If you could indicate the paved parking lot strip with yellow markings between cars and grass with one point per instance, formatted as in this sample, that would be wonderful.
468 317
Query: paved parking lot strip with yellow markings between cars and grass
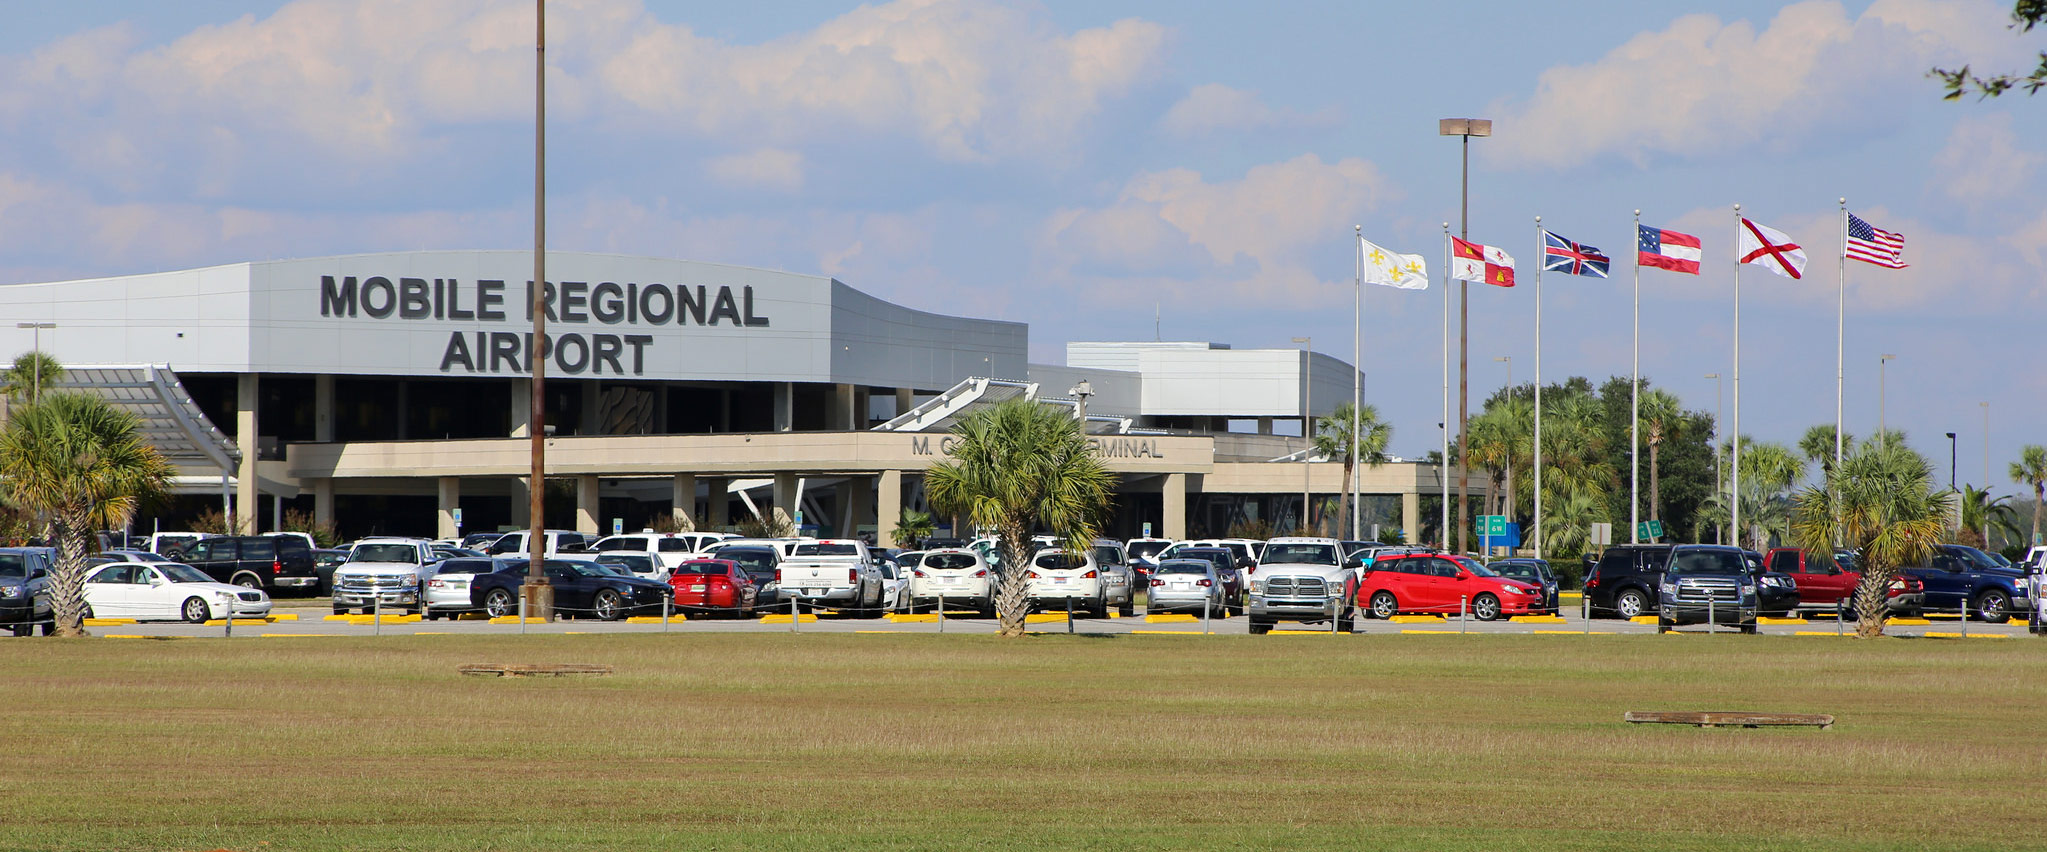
312 617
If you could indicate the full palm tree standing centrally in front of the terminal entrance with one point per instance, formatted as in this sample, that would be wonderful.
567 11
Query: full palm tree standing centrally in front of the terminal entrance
1014 468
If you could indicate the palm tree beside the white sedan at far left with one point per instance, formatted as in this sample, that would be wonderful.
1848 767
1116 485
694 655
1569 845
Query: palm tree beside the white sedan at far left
83 464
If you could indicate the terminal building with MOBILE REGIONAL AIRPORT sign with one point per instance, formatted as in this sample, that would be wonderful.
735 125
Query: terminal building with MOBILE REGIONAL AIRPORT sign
392 394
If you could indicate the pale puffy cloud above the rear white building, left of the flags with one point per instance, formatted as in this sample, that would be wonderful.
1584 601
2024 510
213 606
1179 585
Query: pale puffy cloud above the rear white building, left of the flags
1254 232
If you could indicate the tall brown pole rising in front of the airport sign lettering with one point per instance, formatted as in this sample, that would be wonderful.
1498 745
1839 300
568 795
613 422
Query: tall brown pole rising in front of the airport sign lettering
537 591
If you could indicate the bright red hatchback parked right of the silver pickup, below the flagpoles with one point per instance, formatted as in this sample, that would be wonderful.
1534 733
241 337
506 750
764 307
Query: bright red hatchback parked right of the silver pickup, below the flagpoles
1442 585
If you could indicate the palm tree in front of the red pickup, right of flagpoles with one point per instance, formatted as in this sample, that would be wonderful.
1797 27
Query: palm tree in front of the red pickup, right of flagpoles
1882 503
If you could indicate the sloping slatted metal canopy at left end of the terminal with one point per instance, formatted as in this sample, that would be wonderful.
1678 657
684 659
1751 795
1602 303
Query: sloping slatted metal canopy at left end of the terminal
169 417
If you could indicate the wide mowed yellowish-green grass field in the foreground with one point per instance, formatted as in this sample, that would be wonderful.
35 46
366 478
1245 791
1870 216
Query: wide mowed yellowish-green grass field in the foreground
920 742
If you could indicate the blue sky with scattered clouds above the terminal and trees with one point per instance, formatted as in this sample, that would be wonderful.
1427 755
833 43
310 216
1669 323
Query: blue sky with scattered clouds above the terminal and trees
1082 165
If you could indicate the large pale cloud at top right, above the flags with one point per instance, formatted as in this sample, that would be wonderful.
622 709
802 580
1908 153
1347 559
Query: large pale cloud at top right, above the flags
1704 87
